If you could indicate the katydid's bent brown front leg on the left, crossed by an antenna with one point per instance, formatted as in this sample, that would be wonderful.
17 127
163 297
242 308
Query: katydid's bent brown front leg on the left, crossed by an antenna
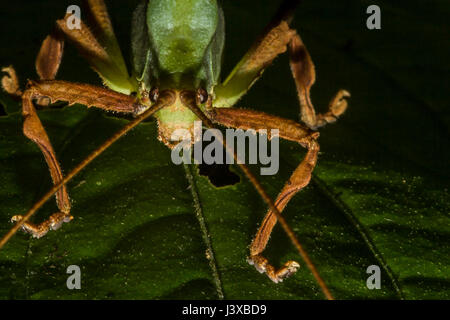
73 93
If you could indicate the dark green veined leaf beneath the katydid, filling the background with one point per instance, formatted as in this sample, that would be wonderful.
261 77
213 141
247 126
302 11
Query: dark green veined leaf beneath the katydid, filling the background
379 195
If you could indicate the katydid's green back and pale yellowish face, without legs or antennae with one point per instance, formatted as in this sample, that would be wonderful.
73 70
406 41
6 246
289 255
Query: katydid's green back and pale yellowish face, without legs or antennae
177 44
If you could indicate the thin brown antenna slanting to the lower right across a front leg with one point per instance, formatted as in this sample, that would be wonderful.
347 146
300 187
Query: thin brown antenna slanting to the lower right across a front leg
191 104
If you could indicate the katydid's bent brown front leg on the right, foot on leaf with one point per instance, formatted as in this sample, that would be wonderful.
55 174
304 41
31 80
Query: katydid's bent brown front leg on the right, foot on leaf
290 130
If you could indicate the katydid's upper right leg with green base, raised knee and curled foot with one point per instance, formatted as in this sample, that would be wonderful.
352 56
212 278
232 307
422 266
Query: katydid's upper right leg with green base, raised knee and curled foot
277 38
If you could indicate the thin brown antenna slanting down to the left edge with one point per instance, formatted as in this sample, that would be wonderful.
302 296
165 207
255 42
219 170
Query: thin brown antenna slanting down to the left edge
163 101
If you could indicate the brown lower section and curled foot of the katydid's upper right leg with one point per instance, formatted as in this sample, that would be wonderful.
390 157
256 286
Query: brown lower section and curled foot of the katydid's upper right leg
304 75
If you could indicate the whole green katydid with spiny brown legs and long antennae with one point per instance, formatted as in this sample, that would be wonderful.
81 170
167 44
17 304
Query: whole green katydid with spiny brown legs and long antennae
177 50
